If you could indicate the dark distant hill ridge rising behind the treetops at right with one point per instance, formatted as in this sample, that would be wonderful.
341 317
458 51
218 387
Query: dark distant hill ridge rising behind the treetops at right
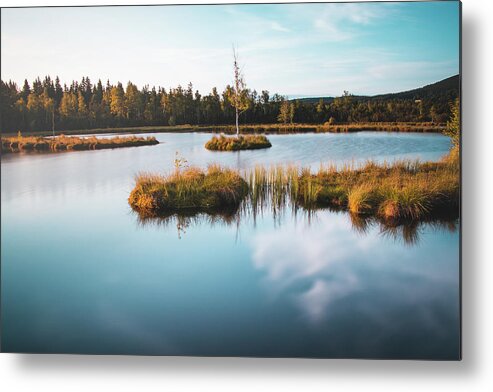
446 87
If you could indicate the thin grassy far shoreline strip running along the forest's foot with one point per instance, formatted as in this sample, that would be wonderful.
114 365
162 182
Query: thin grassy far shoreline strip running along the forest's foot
260 128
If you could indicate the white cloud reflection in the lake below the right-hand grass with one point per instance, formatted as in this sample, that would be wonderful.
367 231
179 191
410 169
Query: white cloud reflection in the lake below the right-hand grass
323 264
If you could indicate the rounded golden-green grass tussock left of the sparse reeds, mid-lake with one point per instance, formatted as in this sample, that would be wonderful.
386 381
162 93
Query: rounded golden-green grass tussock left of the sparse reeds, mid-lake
188 189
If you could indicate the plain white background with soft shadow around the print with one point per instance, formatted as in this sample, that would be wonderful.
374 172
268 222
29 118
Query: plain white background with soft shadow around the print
473 373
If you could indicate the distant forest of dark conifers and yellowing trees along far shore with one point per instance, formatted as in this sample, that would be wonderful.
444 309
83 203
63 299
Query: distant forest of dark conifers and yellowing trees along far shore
84 105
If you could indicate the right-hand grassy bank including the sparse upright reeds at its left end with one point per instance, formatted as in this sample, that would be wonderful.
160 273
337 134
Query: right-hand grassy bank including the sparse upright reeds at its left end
402 191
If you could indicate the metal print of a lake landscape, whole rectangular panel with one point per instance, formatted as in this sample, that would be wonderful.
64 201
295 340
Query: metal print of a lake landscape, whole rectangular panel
265 180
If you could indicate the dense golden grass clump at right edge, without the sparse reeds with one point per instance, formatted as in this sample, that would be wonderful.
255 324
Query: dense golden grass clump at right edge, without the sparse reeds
401 191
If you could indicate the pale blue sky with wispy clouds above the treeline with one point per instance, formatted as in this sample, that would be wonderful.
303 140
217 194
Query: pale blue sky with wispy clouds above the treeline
291 49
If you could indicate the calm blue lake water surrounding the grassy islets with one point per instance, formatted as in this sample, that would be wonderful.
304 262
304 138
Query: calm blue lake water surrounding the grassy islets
81 274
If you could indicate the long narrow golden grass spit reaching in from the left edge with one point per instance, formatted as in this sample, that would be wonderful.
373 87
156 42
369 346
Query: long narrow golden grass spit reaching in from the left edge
67 143
